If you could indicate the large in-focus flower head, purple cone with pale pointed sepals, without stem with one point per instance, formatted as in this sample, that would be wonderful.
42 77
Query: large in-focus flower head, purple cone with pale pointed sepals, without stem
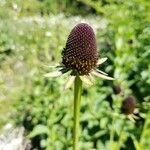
80 57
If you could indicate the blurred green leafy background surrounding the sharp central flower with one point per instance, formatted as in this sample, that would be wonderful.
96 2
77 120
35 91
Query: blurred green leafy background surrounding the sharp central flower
33 34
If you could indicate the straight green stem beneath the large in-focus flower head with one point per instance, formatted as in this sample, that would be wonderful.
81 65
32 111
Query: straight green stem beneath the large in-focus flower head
77 99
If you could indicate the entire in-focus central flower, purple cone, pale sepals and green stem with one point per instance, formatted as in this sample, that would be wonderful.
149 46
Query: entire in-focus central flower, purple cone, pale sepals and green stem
80 60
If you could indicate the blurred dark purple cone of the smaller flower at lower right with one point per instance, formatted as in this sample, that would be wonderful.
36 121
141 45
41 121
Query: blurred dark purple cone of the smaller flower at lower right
128 105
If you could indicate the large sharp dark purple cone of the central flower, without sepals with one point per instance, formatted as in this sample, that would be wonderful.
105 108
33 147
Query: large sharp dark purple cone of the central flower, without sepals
80 53
